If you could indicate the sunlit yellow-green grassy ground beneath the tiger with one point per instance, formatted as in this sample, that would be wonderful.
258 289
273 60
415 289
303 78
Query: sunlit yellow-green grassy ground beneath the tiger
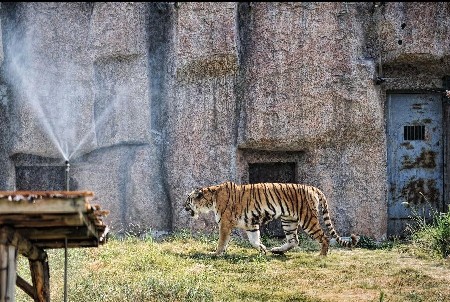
181 268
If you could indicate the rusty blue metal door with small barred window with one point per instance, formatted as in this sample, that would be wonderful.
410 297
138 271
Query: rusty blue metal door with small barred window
415 158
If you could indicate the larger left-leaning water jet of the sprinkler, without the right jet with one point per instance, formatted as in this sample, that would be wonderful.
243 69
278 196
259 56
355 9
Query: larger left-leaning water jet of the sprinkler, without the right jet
46 98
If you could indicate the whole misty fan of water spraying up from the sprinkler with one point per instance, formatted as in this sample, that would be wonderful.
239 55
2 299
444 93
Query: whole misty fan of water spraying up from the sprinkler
54 93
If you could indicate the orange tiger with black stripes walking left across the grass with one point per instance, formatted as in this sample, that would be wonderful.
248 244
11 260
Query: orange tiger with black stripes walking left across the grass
249 206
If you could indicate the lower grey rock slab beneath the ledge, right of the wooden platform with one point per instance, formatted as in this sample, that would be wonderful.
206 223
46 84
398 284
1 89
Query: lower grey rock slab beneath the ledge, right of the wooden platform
126 181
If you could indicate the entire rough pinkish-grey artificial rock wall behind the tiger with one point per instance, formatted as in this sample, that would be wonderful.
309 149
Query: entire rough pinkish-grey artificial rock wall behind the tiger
150 100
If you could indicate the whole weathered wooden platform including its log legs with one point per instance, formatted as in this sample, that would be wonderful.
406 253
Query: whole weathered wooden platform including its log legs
32 221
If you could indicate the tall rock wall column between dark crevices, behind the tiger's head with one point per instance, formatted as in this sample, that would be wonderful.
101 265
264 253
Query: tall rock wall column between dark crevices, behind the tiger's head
202 114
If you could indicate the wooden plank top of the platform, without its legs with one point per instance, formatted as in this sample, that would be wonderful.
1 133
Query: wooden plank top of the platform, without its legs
47 218
